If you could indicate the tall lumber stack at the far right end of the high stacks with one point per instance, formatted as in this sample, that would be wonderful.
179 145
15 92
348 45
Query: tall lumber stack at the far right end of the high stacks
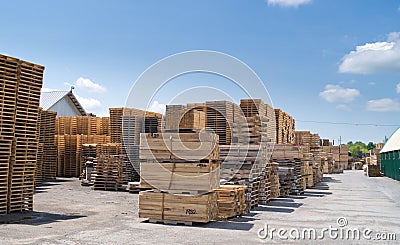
285 125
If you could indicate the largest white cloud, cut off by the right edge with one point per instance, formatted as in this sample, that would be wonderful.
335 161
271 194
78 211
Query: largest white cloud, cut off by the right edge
374 57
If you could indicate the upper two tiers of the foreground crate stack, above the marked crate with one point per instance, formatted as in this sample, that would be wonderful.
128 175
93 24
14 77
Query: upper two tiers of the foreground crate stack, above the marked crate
180 162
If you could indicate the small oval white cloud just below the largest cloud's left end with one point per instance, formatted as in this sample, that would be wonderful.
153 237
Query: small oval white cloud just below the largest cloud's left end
336 93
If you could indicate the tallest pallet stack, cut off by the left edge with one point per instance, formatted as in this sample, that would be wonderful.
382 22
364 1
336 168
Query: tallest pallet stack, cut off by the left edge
20 84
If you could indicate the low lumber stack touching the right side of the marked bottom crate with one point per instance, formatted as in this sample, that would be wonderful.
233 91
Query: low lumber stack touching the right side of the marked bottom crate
231 201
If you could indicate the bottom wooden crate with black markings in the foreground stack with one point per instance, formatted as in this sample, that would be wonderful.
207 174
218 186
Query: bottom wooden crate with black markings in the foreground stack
177 208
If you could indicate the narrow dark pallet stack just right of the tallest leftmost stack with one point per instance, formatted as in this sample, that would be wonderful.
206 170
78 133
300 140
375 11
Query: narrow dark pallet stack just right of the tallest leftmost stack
46 167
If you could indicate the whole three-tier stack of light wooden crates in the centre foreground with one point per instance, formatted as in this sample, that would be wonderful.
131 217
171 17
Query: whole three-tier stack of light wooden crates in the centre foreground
184 180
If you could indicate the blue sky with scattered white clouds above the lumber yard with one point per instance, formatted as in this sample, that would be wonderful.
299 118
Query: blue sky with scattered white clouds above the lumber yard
321 60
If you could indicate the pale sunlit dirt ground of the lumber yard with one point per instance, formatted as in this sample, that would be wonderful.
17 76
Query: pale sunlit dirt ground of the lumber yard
67 213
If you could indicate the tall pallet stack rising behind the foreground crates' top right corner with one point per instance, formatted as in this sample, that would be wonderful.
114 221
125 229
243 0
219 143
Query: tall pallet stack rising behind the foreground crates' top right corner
219 118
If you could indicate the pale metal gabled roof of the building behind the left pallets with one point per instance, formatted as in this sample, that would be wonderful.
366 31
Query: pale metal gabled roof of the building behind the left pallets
48 99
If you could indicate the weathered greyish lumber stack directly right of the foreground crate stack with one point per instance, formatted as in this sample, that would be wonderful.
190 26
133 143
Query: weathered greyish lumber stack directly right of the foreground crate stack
242 165
